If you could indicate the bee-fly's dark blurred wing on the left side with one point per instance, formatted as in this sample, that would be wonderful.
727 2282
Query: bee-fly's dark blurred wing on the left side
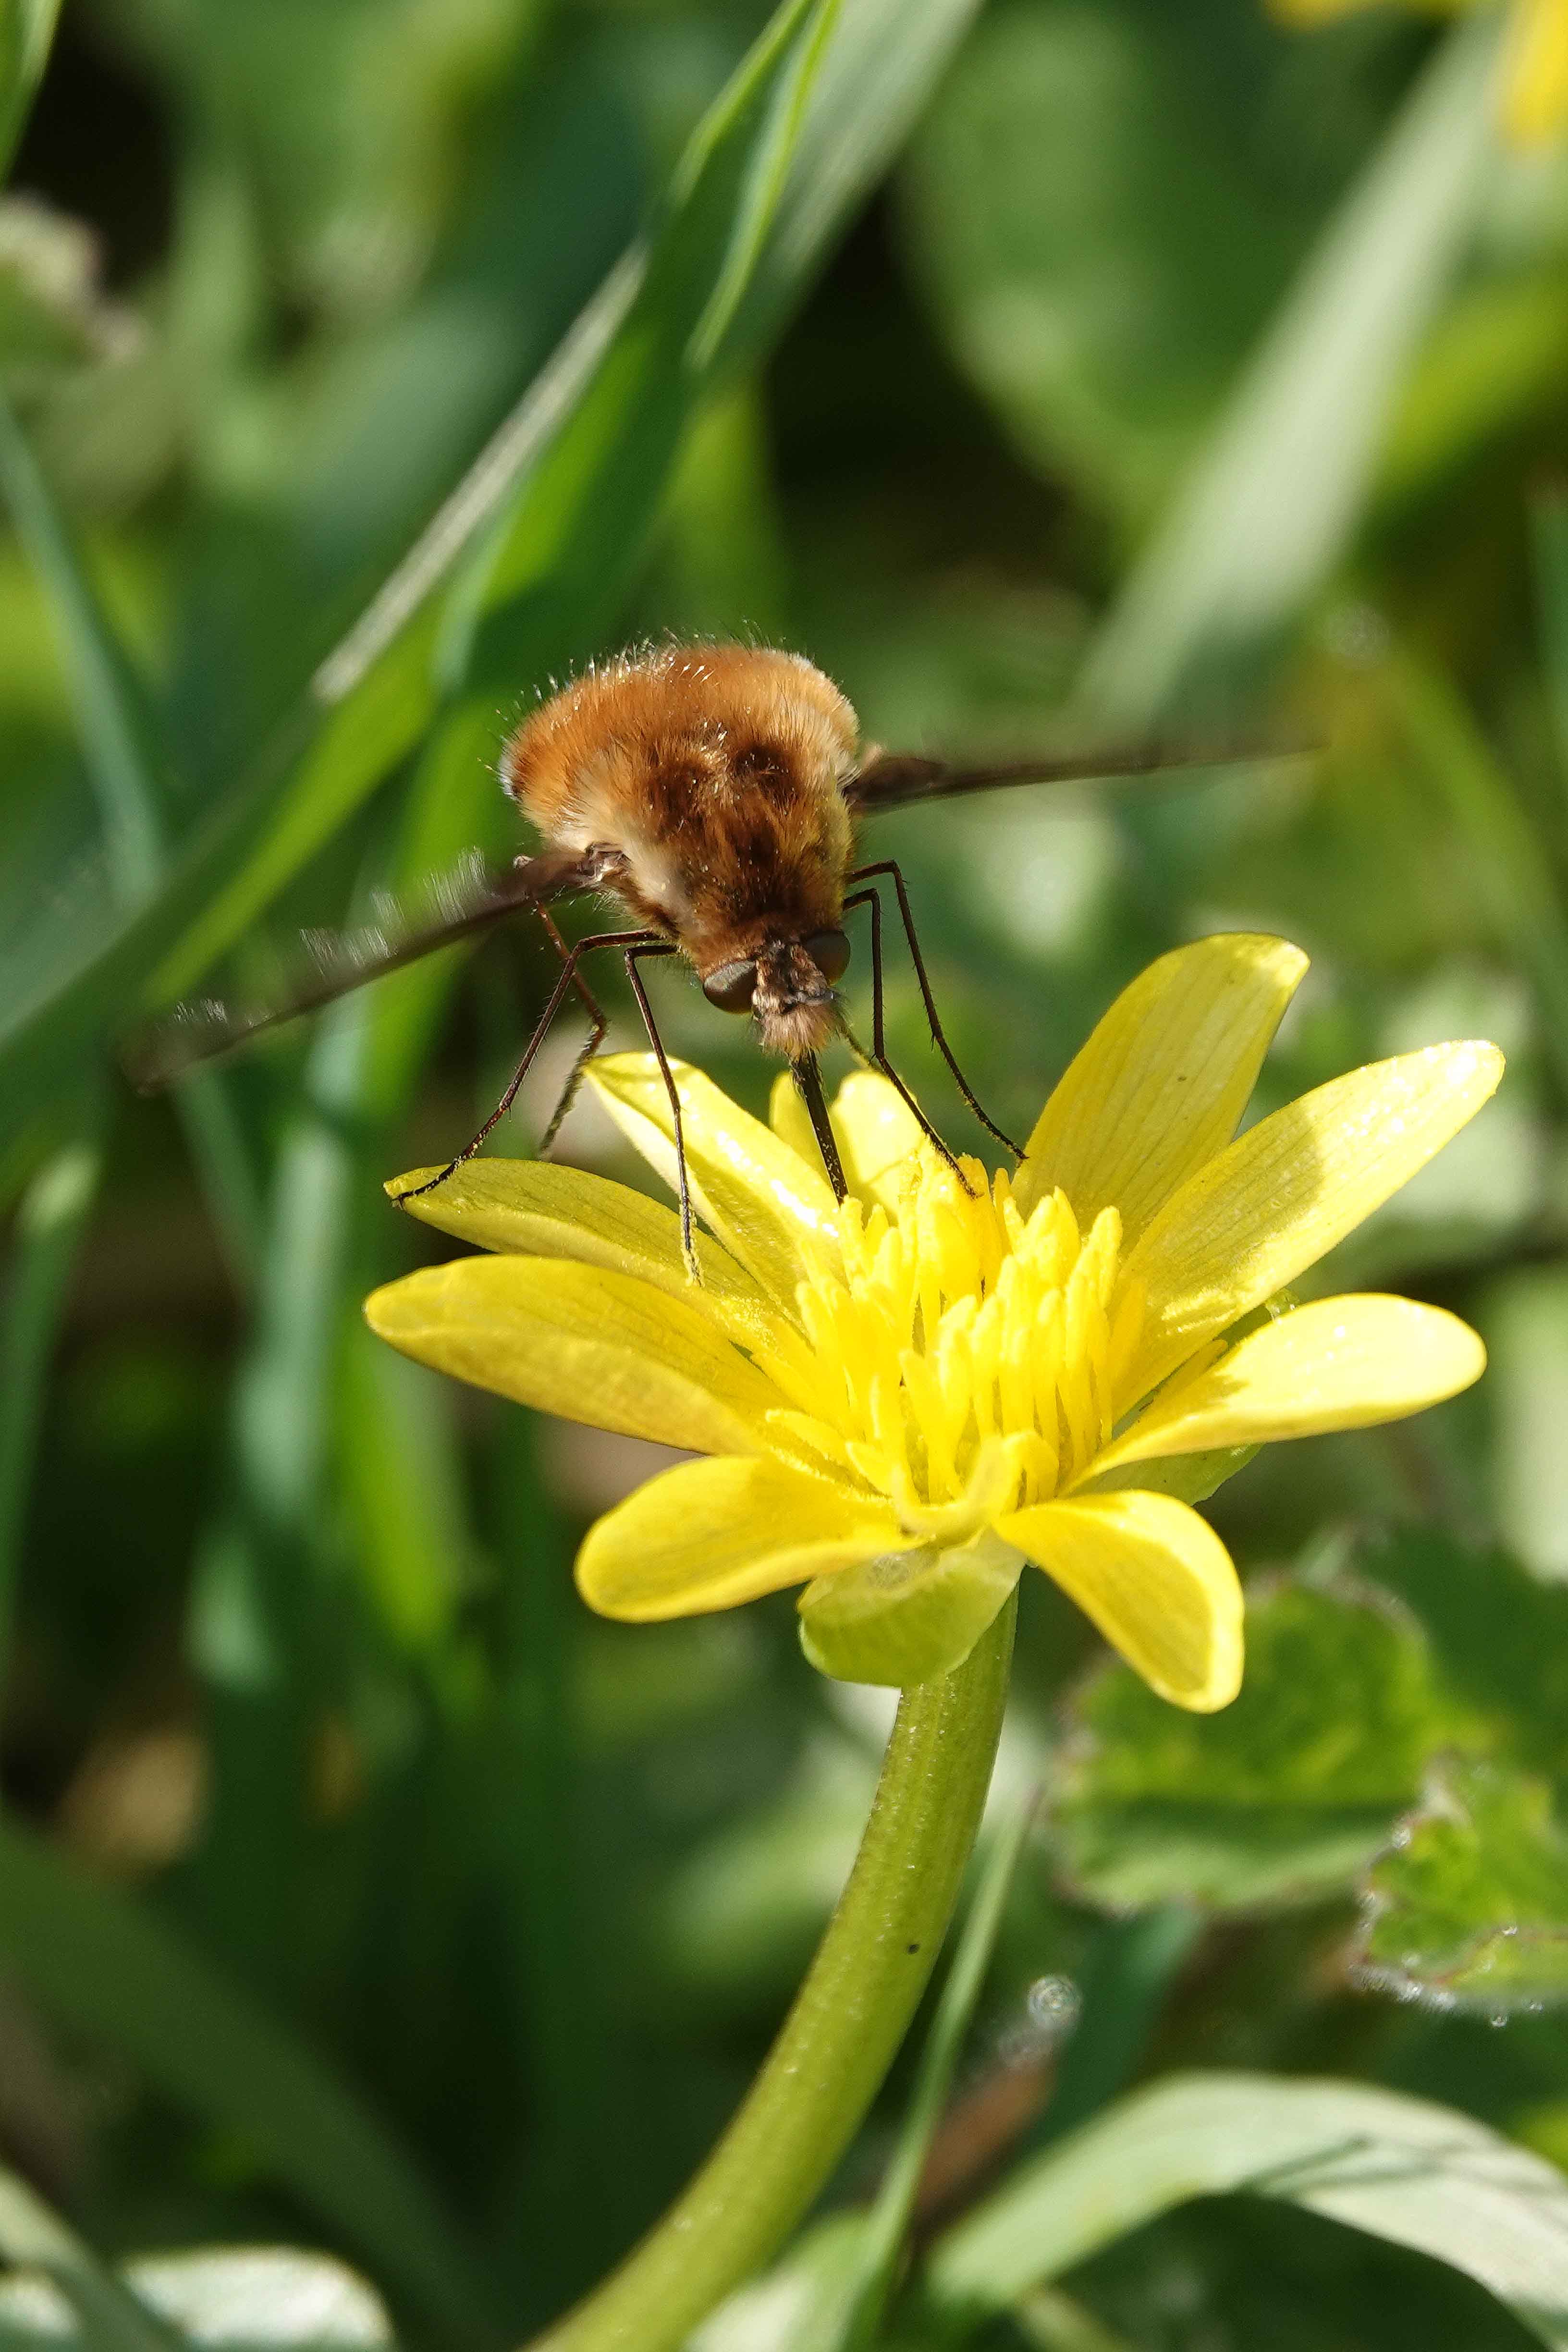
453 909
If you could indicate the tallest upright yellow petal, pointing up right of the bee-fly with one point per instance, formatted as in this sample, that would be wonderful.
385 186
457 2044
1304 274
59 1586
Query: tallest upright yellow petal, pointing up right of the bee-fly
1165 1078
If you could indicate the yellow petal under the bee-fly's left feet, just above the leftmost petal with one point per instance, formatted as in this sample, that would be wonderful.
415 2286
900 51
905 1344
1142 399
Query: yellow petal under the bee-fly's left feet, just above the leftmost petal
540 1210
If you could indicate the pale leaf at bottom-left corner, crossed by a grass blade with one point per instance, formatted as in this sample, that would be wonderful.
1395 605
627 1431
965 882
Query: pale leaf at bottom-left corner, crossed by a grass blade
253 2299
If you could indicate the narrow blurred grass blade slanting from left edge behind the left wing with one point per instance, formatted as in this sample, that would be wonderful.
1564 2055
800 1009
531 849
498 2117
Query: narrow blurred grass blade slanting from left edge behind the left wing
128 770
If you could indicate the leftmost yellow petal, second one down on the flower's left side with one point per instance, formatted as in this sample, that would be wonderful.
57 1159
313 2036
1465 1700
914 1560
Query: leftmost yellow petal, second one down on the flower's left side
584 1344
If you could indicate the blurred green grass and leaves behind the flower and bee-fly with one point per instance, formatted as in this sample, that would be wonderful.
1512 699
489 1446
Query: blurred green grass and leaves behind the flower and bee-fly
1050 370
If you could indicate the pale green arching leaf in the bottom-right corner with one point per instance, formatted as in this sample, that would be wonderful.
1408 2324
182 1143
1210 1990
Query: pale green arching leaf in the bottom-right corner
1395 2167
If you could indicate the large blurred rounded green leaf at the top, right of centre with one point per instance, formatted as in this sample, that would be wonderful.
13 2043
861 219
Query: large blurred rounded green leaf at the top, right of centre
1078 156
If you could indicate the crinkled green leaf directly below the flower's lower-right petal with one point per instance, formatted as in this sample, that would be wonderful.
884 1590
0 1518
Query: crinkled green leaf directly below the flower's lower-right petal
1280 1798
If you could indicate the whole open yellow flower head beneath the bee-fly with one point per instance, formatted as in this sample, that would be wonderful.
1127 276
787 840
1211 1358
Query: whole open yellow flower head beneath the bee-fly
913 1394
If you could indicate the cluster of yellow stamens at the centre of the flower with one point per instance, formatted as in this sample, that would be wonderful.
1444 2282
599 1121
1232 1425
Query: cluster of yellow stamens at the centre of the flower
963 1358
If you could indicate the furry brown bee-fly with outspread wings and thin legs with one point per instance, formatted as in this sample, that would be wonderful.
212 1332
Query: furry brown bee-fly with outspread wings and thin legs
713 794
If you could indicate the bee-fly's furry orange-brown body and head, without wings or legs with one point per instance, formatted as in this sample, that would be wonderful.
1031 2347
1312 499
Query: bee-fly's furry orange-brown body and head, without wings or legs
713 782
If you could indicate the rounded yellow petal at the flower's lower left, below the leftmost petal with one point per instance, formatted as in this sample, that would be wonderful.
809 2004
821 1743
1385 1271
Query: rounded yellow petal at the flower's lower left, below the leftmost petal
713 1535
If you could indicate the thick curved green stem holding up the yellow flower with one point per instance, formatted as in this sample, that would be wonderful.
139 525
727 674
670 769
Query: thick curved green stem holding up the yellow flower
843 2031
